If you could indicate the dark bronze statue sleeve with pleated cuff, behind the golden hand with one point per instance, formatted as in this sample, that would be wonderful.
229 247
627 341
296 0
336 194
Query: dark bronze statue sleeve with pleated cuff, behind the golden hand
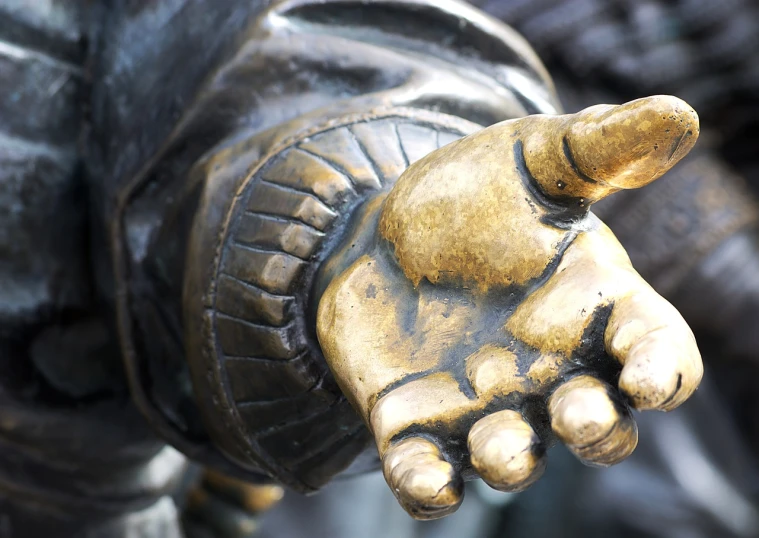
217 228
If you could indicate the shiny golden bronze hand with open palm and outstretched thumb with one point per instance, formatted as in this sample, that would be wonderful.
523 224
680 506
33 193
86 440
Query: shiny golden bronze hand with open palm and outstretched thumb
492 303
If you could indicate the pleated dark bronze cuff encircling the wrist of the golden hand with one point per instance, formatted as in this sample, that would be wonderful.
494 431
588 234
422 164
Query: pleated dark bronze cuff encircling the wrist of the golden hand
287 227
